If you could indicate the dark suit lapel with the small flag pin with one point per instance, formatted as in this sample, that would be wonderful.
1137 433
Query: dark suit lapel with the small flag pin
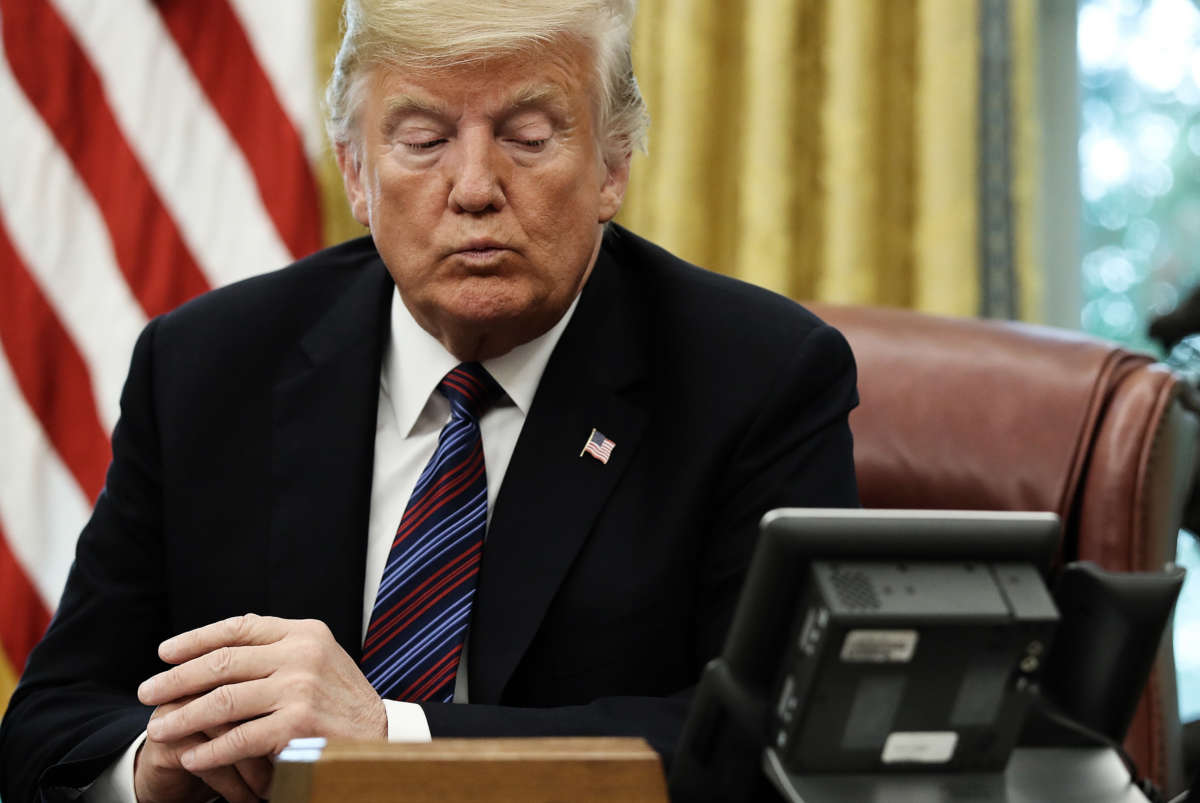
551 496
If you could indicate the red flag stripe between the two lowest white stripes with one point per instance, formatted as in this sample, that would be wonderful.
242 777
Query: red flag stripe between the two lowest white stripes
51 373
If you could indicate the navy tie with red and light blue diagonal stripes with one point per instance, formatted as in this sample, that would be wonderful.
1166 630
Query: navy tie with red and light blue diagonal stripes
421 615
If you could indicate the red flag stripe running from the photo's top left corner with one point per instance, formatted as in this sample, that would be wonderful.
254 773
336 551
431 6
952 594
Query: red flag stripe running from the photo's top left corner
57 77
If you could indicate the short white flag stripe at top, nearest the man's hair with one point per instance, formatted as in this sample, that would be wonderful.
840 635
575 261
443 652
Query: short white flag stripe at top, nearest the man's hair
281 34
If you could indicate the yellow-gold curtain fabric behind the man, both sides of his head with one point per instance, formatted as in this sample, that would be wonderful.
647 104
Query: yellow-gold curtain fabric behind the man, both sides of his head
826 149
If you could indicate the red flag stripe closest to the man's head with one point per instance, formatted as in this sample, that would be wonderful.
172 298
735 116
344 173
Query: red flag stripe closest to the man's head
217 47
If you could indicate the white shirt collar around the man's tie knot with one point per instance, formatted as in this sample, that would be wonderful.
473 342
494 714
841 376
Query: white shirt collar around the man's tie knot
416 363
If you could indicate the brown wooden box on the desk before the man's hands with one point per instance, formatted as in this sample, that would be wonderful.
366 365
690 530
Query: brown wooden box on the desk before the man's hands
449 771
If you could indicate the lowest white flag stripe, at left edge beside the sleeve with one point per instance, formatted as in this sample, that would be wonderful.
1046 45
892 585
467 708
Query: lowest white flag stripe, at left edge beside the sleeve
44 508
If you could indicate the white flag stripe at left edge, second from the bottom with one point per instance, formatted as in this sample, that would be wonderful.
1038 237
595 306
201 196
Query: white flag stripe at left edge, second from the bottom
59 233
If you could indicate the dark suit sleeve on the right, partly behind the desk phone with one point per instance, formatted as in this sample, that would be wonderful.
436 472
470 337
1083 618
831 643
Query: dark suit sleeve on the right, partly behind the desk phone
796 451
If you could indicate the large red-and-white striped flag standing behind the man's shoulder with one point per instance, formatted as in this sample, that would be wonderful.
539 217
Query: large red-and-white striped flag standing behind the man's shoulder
149 152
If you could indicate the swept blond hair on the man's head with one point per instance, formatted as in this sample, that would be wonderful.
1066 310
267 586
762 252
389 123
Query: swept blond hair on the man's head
433 34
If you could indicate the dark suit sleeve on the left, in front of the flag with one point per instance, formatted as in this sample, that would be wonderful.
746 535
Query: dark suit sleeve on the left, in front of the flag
75 710
